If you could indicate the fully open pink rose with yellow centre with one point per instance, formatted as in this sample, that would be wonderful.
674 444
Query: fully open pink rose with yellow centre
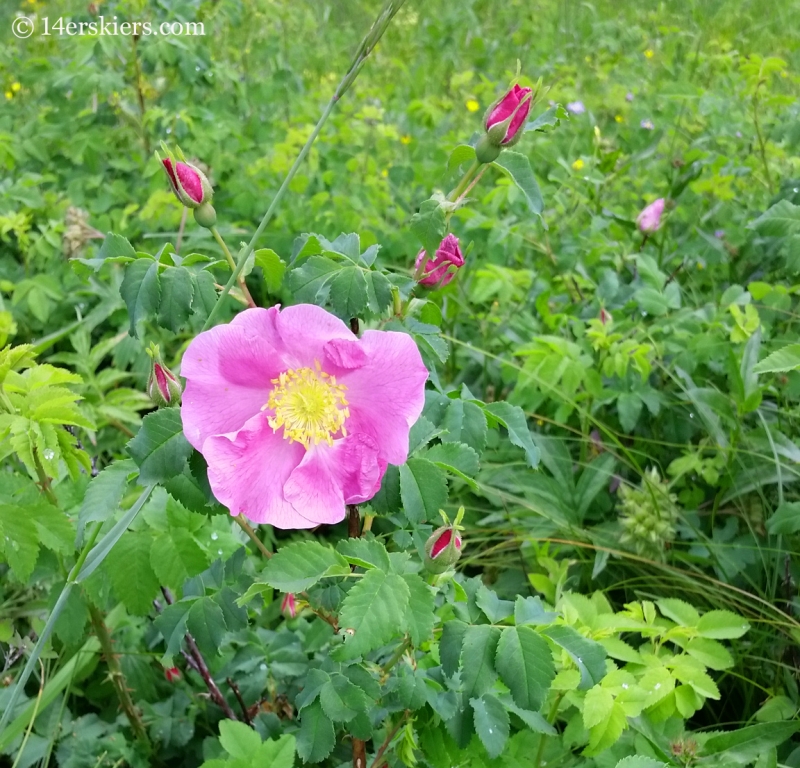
295 415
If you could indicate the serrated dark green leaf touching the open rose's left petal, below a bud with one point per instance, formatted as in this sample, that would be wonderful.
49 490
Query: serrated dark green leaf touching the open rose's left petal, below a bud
160 449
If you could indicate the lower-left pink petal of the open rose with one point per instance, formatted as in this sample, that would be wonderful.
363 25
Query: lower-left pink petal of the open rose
247 471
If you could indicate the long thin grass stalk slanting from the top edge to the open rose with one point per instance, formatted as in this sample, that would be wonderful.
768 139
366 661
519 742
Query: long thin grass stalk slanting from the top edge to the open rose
367 45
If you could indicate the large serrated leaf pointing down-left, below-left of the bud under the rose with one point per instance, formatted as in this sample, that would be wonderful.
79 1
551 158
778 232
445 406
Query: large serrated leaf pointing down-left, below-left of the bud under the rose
373 612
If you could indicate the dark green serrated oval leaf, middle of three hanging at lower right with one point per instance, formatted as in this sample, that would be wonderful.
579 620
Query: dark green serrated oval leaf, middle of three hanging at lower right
525 664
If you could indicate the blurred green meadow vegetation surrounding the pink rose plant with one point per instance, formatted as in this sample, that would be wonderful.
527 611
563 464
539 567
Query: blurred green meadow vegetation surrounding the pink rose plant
666 458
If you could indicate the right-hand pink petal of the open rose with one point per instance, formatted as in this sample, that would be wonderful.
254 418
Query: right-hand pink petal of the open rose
387 394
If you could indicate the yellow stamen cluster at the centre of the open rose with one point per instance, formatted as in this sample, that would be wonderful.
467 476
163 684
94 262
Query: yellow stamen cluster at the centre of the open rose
309 405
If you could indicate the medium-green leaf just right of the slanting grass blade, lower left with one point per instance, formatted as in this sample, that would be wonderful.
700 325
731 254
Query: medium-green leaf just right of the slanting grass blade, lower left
130 572
